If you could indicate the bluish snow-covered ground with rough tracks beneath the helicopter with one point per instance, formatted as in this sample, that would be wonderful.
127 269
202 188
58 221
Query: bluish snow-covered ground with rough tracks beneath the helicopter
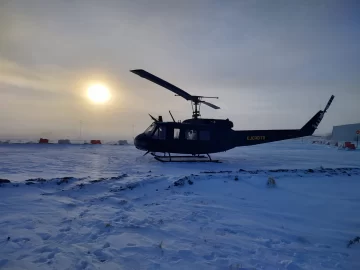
107 207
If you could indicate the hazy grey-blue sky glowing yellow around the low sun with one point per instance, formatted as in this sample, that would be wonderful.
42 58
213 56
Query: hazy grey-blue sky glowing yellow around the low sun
272 63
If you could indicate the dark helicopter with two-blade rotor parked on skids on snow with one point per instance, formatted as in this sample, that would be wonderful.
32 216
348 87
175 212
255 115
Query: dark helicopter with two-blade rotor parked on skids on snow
196 138
